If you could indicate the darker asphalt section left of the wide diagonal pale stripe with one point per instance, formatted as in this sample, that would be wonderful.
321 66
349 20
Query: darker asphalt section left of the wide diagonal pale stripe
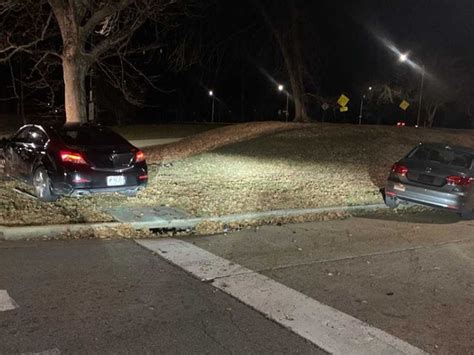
116 297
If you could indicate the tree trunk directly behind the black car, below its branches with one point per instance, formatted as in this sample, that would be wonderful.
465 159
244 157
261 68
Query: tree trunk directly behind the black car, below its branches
74 70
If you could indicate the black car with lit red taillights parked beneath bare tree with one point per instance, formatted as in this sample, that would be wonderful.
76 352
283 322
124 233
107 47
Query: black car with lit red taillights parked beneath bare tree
73 160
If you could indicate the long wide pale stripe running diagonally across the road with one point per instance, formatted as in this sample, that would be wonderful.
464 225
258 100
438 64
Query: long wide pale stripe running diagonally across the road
324 326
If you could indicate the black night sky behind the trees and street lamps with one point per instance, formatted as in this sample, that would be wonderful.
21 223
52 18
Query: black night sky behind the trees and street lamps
343 52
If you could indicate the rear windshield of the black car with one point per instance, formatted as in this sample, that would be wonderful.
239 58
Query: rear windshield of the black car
91 136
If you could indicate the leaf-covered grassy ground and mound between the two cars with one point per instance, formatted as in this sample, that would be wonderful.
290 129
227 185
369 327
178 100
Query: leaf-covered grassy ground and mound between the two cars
308 166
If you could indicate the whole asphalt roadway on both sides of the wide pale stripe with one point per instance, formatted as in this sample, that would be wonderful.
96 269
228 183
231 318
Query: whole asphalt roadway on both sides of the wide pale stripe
411 276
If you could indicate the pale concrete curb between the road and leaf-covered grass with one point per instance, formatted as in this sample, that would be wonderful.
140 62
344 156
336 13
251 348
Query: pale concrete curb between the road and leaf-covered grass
45 232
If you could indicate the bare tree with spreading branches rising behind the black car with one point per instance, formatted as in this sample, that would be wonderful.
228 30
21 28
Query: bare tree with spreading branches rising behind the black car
79 34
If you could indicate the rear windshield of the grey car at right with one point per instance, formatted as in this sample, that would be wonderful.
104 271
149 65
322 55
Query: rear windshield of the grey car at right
445 156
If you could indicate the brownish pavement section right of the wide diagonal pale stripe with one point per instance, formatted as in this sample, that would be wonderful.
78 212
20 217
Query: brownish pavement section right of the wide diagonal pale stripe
409 275
